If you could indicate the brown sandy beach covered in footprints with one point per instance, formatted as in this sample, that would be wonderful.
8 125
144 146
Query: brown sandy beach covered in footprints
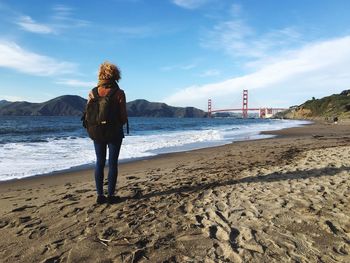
285 199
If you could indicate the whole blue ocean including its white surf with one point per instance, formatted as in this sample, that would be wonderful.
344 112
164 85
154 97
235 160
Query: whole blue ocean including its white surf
36 145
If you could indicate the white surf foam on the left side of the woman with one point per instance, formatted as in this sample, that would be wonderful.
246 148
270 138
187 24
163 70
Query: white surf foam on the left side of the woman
28 159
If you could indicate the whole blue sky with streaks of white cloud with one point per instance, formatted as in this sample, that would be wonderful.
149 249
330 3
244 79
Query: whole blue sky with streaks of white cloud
181 52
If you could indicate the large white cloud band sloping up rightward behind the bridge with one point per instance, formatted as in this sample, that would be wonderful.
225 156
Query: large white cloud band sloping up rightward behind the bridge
317 68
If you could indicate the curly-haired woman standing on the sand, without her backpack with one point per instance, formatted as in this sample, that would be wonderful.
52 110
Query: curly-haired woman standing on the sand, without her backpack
108 76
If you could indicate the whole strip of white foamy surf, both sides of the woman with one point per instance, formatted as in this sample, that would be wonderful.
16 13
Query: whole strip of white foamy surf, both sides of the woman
18 160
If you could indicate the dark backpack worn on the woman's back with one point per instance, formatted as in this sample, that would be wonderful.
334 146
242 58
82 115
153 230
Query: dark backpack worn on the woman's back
101 117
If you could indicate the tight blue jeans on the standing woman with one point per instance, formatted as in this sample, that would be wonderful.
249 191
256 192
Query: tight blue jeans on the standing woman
113 155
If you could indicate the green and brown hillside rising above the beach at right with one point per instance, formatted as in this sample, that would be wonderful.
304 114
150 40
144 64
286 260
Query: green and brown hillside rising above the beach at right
336 105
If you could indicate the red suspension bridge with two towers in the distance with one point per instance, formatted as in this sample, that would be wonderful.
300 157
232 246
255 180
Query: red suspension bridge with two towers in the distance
264 112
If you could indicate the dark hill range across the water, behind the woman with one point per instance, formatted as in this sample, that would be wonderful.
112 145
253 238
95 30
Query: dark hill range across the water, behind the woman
70 105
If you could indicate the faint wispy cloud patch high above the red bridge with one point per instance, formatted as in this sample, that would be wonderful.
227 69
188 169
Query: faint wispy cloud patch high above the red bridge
236 38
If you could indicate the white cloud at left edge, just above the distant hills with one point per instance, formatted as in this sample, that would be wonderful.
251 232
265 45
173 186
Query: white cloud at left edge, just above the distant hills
14 57
